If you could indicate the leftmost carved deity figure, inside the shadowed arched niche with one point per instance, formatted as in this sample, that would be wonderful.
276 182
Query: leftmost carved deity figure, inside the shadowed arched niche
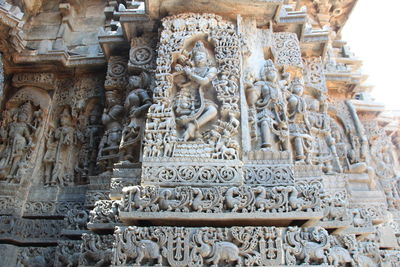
20 141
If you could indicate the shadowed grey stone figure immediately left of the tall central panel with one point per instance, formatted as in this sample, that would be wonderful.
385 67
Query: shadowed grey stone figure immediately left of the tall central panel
136 104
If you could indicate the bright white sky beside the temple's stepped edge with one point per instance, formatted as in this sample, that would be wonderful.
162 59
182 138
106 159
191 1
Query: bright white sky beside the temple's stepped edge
373 34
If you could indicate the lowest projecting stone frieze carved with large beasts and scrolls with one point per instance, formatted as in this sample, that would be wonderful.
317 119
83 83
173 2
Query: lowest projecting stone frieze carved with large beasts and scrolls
235 246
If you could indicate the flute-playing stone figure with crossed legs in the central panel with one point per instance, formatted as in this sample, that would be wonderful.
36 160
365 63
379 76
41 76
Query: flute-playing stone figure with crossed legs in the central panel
192 109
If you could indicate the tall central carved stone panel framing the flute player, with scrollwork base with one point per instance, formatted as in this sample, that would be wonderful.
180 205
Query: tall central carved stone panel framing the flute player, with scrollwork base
196 103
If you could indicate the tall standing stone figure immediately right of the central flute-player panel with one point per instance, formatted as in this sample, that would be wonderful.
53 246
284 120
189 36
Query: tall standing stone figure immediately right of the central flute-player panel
271 108
